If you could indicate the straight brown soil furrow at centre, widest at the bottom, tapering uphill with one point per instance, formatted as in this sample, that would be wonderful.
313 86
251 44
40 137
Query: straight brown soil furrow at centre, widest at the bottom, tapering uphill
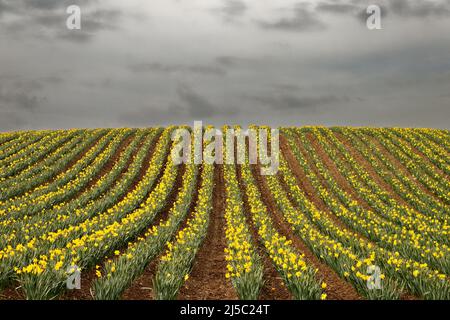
207 280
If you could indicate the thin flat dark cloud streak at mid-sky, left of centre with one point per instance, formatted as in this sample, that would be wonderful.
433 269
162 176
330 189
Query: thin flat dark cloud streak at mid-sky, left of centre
176 68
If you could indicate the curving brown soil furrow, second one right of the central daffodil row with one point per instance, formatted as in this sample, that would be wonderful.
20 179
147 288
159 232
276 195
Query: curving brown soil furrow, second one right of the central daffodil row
337 289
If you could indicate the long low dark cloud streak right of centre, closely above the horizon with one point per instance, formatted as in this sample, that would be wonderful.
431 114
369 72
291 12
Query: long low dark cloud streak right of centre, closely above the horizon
290 101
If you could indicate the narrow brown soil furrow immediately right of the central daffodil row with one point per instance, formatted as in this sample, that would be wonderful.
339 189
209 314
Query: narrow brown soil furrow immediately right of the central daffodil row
274 288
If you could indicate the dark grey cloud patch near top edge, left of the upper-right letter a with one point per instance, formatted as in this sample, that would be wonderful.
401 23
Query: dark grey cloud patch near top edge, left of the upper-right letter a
303 19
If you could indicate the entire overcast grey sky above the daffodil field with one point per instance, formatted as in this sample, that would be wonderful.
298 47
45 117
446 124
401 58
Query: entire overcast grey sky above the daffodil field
278 62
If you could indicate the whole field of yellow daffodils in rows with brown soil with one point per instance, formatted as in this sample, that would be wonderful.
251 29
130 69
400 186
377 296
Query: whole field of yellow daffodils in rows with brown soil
352 213
